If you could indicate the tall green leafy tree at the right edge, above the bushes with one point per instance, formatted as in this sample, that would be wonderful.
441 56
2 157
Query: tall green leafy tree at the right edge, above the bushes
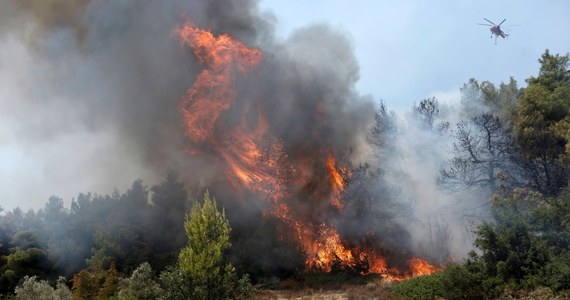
542 126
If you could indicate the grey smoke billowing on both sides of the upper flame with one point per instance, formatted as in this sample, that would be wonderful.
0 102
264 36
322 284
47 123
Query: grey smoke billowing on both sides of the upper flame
100 82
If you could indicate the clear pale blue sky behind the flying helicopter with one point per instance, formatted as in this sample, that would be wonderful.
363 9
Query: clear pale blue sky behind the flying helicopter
410 50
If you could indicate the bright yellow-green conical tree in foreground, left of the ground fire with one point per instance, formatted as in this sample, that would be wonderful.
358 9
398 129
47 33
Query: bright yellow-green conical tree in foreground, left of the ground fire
203 259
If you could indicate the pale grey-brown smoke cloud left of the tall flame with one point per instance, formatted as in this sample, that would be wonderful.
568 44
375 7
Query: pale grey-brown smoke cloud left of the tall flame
91 90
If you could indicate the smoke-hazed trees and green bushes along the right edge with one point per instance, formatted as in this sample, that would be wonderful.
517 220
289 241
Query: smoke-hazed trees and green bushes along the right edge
514 145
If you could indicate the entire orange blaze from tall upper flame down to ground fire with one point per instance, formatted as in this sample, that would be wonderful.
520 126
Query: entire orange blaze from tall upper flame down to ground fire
256 160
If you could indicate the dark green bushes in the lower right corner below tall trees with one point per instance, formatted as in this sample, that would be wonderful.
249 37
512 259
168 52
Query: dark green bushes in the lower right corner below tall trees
527 246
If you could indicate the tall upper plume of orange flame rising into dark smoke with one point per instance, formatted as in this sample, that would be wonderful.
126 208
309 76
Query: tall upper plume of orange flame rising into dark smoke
211 94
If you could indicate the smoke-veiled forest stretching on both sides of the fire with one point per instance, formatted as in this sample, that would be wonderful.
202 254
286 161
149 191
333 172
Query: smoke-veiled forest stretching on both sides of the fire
176 239
